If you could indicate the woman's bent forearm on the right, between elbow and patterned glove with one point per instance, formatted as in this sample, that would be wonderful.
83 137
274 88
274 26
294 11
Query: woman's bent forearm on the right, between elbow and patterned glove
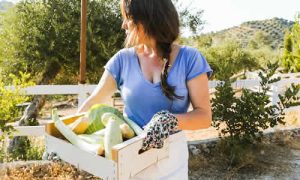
194 120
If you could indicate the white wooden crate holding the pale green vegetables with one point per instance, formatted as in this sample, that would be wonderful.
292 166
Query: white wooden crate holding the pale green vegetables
126 162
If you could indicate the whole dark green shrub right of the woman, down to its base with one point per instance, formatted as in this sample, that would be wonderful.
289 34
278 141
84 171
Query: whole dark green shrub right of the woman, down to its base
242 116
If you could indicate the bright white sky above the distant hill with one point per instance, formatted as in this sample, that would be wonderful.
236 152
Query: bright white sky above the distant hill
222 14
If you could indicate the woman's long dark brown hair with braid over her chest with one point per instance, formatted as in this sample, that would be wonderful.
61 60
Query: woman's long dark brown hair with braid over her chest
160 21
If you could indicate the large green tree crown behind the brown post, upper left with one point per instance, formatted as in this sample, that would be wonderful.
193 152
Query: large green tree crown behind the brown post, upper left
36 32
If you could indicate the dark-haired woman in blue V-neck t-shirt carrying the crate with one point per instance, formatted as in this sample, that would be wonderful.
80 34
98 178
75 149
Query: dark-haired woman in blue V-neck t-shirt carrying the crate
158 79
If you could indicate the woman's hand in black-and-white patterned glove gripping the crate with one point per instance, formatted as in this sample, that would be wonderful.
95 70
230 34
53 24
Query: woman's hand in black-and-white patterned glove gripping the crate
161 126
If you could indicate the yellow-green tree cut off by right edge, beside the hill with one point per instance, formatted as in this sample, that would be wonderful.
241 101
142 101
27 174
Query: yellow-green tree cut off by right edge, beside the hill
291 54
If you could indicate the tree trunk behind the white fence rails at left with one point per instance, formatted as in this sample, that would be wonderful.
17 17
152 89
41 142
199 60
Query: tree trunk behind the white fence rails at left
18 145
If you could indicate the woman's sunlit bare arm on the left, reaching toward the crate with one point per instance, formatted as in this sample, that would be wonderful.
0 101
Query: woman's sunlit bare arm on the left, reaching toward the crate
103 92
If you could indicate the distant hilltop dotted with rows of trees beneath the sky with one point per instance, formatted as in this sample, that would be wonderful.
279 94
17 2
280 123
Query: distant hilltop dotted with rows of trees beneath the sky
274 29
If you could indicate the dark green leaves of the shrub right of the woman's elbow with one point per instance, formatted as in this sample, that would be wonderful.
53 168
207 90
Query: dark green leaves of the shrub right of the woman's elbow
246 116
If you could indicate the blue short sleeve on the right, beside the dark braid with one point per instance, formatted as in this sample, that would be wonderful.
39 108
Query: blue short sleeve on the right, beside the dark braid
197 65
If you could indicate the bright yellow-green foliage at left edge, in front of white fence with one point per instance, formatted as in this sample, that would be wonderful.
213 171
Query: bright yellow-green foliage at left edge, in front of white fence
9 100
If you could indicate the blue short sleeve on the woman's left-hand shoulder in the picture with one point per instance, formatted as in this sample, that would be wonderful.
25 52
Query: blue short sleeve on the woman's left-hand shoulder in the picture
114 67
